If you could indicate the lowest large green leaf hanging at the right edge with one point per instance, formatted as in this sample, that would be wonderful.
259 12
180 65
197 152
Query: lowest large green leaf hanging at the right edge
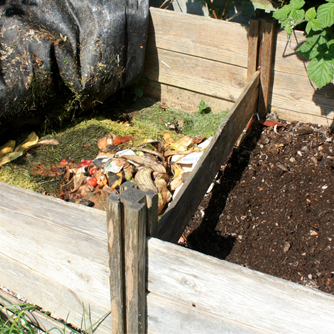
320 71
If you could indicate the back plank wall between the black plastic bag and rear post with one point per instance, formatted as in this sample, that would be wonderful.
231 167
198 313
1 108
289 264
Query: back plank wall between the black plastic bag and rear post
187 53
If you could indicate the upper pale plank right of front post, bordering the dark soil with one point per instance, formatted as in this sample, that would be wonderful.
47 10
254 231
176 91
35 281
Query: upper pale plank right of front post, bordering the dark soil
235 292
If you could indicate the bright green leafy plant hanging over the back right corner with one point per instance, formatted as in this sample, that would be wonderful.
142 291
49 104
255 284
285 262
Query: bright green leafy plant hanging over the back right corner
319 29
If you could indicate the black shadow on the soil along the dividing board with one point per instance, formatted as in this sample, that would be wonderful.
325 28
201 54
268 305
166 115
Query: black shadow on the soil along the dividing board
205 238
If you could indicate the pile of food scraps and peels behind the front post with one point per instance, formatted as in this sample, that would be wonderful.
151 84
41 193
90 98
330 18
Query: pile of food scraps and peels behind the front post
160 165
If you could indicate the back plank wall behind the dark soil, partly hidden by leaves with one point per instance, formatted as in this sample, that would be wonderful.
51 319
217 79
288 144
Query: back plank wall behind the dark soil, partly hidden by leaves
294 98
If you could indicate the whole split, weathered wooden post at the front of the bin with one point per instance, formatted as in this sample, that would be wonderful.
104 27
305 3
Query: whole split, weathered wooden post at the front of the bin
129 216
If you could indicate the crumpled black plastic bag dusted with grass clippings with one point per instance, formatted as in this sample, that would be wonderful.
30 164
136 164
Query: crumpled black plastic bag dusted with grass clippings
57 55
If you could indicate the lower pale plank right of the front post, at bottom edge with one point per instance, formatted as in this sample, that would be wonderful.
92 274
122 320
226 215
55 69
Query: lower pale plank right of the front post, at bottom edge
173 317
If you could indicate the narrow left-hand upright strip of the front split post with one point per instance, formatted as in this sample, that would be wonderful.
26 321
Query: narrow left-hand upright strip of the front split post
116 262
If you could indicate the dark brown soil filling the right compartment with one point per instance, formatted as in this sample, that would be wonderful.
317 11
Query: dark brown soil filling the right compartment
272 206
